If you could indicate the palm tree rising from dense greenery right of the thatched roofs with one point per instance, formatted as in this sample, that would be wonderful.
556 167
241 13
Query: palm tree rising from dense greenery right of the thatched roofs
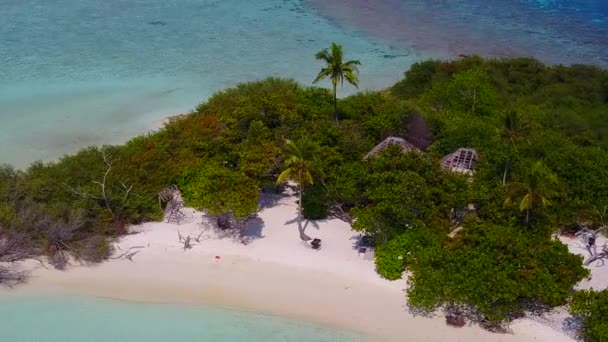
536 189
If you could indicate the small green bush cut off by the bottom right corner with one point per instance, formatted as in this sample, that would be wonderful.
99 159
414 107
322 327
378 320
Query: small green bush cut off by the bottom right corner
592 308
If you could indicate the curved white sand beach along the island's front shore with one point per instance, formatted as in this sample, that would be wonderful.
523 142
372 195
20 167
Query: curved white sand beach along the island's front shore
275 273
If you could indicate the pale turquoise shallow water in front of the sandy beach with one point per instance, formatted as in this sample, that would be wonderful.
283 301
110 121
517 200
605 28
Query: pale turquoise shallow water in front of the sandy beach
68 319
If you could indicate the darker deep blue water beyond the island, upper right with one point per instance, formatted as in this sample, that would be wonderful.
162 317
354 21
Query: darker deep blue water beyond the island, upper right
555 31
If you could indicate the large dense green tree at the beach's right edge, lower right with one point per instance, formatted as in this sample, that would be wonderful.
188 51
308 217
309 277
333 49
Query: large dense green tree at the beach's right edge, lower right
494 272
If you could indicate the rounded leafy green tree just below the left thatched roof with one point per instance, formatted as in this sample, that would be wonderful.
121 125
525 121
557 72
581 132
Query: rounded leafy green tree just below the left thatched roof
405 190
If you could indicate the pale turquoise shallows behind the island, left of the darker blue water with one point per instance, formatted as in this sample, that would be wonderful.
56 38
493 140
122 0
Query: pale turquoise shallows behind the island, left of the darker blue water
81 72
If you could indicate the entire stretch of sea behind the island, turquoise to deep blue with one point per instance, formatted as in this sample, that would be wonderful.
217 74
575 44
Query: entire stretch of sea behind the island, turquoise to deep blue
81 72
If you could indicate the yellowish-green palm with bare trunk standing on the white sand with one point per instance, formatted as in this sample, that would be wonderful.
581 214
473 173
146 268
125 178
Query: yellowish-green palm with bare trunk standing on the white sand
299 165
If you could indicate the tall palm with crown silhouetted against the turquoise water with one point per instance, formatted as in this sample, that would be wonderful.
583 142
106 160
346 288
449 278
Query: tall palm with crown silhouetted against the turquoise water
337 70
